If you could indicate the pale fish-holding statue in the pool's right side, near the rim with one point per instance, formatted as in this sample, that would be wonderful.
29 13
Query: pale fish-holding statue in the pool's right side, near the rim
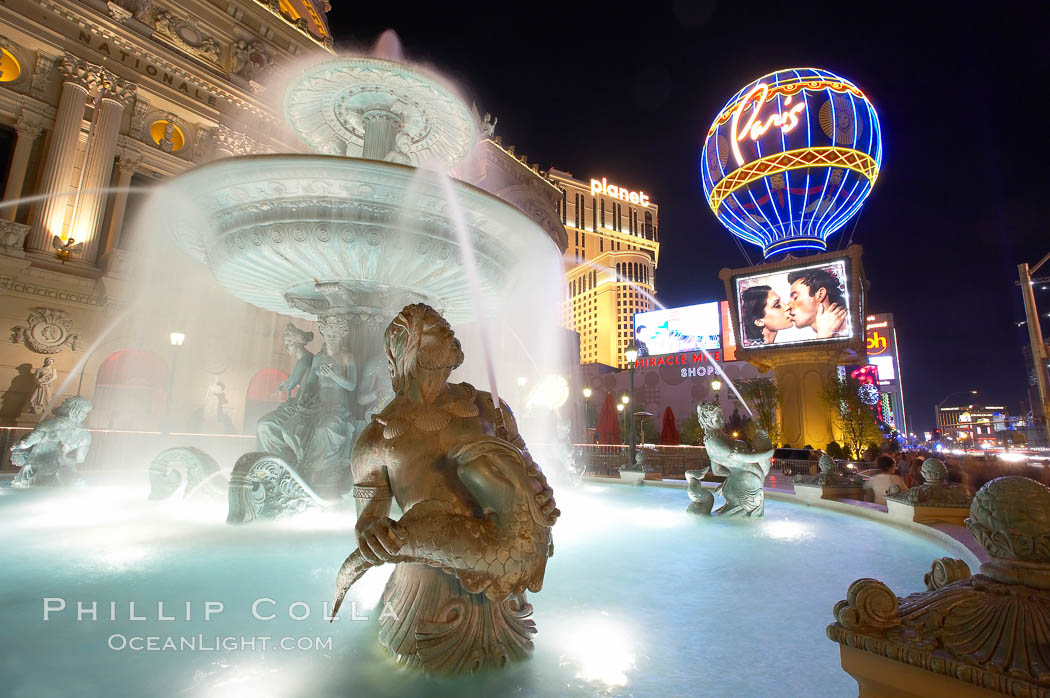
744 467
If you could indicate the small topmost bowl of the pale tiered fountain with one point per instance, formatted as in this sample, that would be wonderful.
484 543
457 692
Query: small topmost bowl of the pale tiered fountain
380 110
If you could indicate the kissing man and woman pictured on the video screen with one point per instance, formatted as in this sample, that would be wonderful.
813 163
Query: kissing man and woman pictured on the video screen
815 301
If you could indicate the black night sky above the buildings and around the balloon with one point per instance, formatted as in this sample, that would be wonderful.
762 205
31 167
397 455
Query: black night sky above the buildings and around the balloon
628 93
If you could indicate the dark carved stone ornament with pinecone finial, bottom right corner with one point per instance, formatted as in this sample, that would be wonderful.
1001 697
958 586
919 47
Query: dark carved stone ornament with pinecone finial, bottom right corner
990 630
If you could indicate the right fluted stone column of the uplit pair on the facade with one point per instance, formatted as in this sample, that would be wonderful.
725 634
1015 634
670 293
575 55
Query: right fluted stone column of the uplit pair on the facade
99 164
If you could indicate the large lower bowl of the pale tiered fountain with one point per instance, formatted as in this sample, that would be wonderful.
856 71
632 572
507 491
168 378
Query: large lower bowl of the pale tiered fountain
276 229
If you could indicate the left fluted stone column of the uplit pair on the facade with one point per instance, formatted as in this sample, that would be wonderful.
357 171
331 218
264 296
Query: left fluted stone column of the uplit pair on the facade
78 77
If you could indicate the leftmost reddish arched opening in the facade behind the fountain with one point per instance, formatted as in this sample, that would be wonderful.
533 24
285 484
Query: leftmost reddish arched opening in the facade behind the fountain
131 392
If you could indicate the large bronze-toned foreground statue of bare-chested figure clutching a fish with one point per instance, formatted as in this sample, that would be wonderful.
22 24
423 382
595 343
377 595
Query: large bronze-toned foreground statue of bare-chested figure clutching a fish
478 512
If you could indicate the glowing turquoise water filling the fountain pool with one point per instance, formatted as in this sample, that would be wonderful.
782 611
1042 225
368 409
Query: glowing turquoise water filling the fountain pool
641 599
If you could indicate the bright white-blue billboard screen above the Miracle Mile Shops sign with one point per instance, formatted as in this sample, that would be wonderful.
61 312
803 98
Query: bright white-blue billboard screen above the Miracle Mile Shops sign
679 330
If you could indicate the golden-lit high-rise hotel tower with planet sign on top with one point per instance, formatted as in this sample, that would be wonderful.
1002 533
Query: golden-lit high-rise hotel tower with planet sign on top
611 259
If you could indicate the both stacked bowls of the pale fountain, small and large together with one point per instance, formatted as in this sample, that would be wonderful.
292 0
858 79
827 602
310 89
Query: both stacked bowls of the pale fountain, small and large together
355 229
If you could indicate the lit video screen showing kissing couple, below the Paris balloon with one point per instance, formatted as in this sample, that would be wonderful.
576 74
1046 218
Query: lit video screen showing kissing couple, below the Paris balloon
807 304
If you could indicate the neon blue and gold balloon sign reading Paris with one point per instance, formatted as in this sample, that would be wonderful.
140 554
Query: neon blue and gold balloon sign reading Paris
791 159
